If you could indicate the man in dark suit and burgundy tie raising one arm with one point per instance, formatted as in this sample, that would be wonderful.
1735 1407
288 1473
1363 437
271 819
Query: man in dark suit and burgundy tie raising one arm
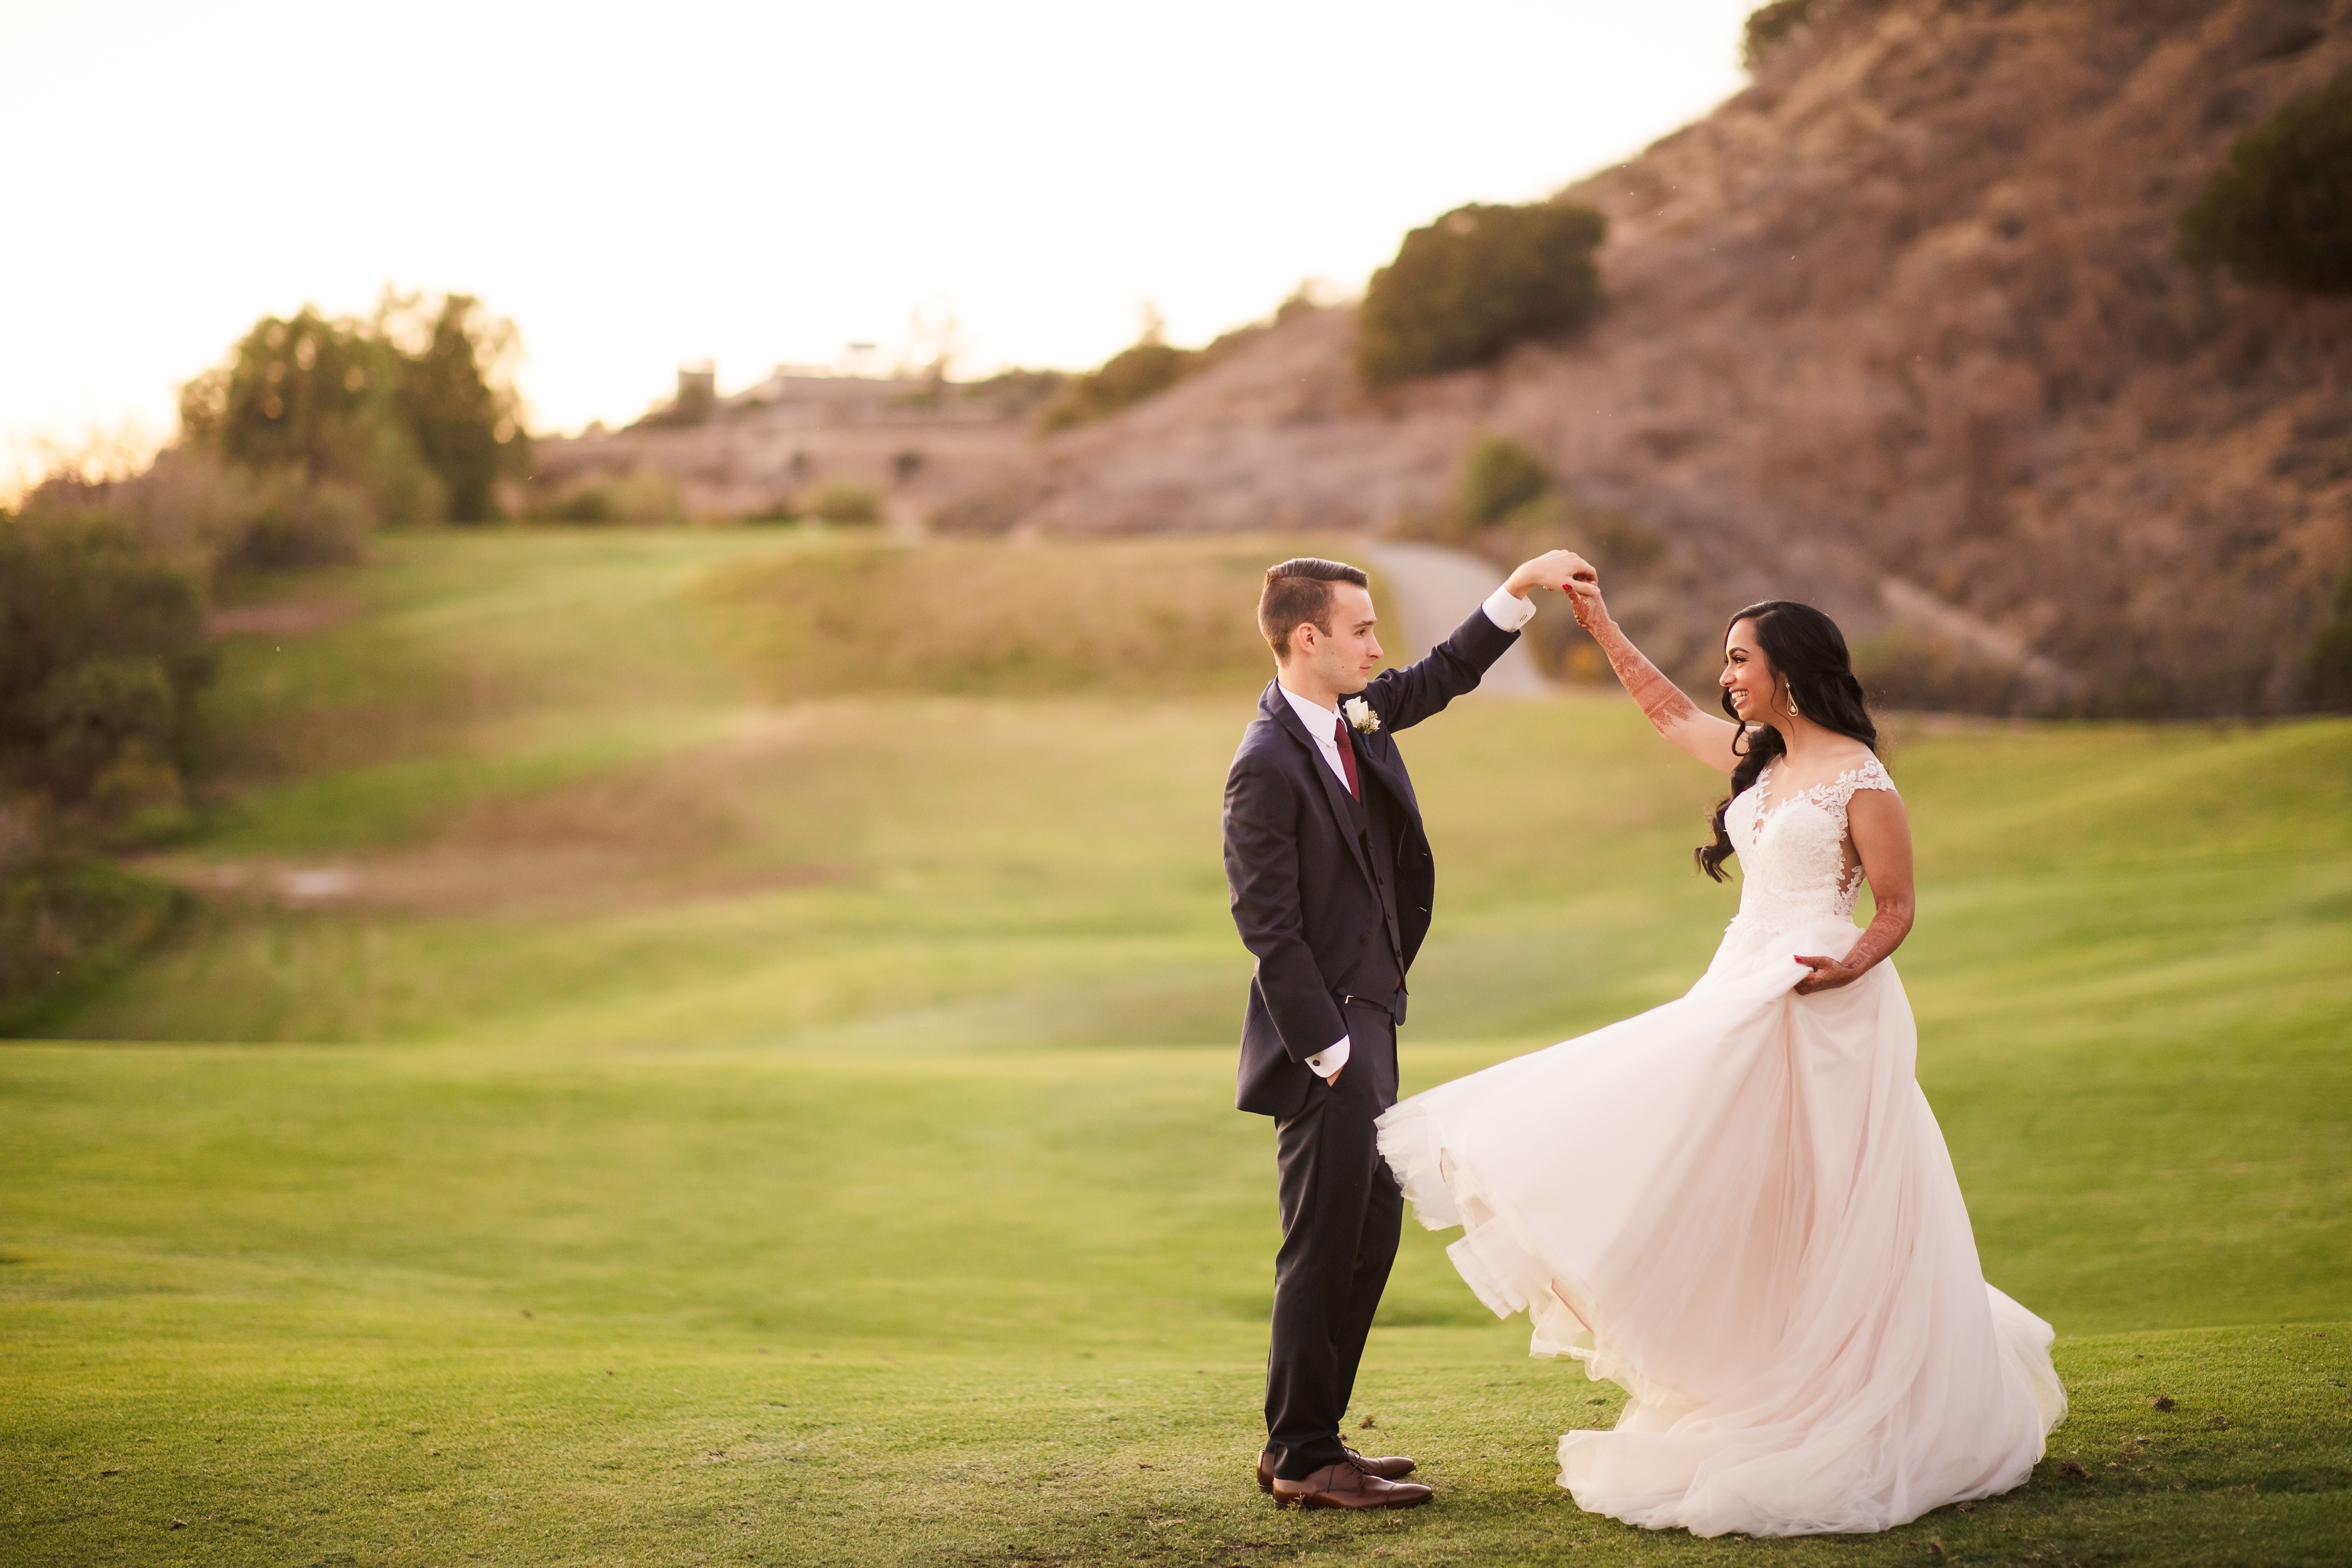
1332 885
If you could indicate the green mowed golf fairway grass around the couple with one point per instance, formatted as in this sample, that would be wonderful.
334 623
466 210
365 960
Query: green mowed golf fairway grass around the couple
674 1125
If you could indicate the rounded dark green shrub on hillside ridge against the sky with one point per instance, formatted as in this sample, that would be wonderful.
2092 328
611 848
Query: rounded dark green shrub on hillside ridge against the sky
1474 286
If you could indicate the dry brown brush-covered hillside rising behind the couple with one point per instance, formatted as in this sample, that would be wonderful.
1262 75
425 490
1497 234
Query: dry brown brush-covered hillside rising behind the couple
1897 330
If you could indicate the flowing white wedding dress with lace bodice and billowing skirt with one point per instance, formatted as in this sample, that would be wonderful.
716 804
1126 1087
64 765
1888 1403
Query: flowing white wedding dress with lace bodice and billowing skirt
1739 1207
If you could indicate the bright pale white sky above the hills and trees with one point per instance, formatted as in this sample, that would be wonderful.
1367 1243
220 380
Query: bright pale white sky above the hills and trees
754 185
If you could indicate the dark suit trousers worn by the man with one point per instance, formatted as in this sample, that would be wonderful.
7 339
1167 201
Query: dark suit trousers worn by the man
1342 1214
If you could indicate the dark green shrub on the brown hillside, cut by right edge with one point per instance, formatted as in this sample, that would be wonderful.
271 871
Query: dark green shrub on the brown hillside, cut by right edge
2283 210
